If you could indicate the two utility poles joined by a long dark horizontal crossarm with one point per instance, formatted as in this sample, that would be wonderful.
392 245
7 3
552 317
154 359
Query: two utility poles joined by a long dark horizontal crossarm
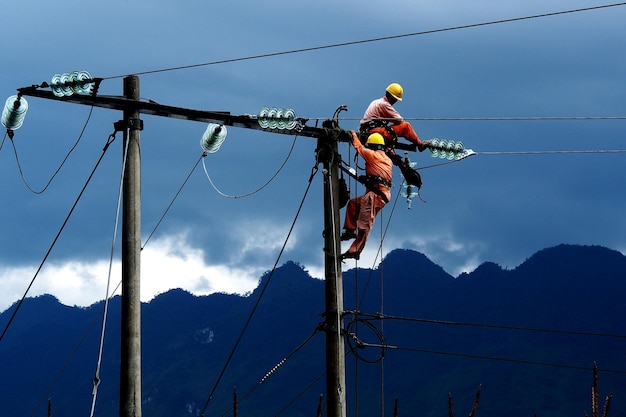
328 137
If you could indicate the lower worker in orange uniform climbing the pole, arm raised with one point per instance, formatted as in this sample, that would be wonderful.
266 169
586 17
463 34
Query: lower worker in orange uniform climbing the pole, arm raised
361 211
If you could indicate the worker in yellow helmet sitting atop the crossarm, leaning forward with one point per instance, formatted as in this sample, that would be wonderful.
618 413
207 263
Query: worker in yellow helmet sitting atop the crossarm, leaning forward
381 117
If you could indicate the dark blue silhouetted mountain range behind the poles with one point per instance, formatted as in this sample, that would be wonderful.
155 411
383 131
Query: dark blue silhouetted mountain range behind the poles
529 336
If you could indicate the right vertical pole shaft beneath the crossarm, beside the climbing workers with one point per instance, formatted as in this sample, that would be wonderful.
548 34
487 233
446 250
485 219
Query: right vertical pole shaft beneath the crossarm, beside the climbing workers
335 350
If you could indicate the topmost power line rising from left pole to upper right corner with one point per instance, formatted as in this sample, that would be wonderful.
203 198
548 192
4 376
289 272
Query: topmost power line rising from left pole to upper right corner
372 40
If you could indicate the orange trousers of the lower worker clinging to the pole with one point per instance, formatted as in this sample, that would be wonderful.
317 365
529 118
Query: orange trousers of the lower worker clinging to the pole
360 214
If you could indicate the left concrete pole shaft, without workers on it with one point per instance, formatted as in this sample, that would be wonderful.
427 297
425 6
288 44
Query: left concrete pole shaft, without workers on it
130 366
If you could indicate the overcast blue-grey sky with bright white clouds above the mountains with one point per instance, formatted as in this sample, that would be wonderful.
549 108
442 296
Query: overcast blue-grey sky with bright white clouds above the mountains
529 187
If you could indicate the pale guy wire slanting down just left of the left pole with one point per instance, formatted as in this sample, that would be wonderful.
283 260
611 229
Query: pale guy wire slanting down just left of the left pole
96 378
